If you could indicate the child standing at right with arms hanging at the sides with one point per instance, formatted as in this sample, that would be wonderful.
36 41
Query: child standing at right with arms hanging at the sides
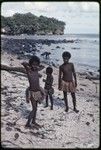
66 82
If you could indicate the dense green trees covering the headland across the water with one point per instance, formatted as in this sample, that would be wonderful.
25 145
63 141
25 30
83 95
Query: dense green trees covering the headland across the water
31 24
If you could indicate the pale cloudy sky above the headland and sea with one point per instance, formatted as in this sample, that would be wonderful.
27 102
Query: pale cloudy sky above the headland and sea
80 17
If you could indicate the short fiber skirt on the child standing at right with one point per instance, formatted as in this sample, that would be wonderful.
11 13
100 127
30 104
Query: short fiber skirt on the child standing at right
68 86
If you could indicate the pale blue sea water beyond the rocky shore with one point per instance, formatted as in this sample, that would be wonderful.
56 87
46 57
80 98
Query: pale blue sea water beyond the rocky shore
85 53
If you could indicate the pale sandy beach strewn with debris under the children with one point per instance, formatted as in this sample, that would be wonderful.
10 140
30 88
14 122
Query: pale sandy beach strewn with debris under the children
59 129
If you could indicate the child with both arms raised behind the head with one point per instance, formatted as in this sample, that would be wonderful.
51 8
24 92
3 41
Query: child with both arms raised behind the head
34 91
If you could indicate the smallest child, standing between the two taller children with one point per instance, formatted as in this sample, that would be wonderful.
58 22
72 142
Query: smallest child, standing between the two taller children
48 86
